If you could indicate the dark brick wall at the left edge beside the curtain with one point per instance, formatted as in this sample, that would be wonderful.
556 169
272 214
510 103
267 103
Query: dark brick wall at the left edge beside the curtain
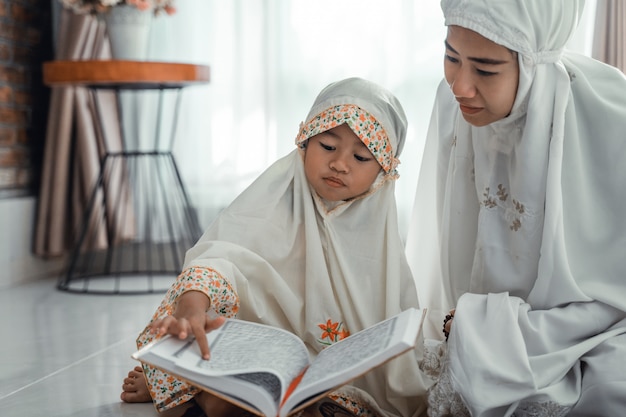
25 43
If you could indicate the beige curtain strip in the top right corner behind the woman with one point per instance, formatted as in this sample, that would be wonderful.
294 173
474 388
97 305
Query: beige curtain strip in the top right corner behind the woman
609 40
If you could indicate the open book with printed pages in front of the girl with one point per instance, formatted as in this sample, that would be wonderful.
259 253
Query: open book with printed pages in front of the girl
268 371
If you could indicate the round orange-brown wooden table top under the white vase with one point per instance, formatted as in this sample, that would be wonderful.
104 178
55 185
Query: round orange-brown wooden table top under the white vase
123 74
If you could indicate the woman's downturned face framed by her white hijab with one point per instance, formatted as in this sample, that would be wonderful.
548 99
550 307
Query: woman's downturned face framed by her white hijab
482 75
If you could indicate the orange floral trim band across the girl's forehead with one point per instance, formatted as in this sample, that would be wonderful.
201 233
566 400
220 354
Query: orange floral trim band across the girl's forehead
363 124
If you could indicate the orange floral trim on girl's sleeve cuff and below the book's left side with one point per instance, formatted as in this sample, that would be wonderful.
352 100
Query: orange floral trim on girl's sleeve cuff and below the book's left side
167 391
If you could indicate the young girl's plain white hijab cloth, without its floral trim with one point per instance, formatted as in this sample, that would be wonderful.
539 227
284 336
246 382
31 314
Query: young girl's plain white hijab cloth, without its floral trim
297 261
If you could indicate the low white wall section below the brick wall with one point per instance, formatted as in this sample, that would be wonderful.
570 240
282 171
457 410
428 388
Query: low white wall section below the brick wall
17 263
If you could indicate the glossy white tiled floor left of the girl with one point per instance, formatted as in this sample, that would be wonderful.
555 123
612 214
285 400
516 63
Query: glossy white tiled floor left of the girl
65 354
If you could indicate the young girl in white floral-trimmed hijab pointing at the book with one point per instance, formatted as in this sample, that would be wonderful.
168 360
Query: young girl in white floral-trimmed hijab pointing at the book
312 246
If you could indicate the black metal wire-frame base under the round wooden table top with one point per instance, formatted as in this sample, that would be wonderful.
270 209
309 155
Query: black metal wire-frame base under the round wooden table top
139 221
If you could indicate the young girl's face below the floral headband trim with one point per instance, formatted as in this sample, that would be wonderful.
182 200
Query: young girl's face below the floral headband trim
338 165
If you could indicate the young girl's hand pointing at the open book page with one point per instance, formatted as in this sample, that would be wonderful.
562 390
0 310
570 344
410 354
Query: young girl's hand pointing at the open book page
190 317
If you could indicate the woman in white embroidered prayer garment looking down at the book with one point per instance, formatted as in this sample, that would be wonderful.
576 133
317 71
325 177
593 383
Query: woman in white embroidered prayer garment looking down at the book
518 226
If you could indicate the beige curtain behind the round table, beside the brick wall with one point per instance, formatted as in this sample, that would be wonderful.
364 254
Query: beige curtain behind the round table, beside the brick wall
73 144
